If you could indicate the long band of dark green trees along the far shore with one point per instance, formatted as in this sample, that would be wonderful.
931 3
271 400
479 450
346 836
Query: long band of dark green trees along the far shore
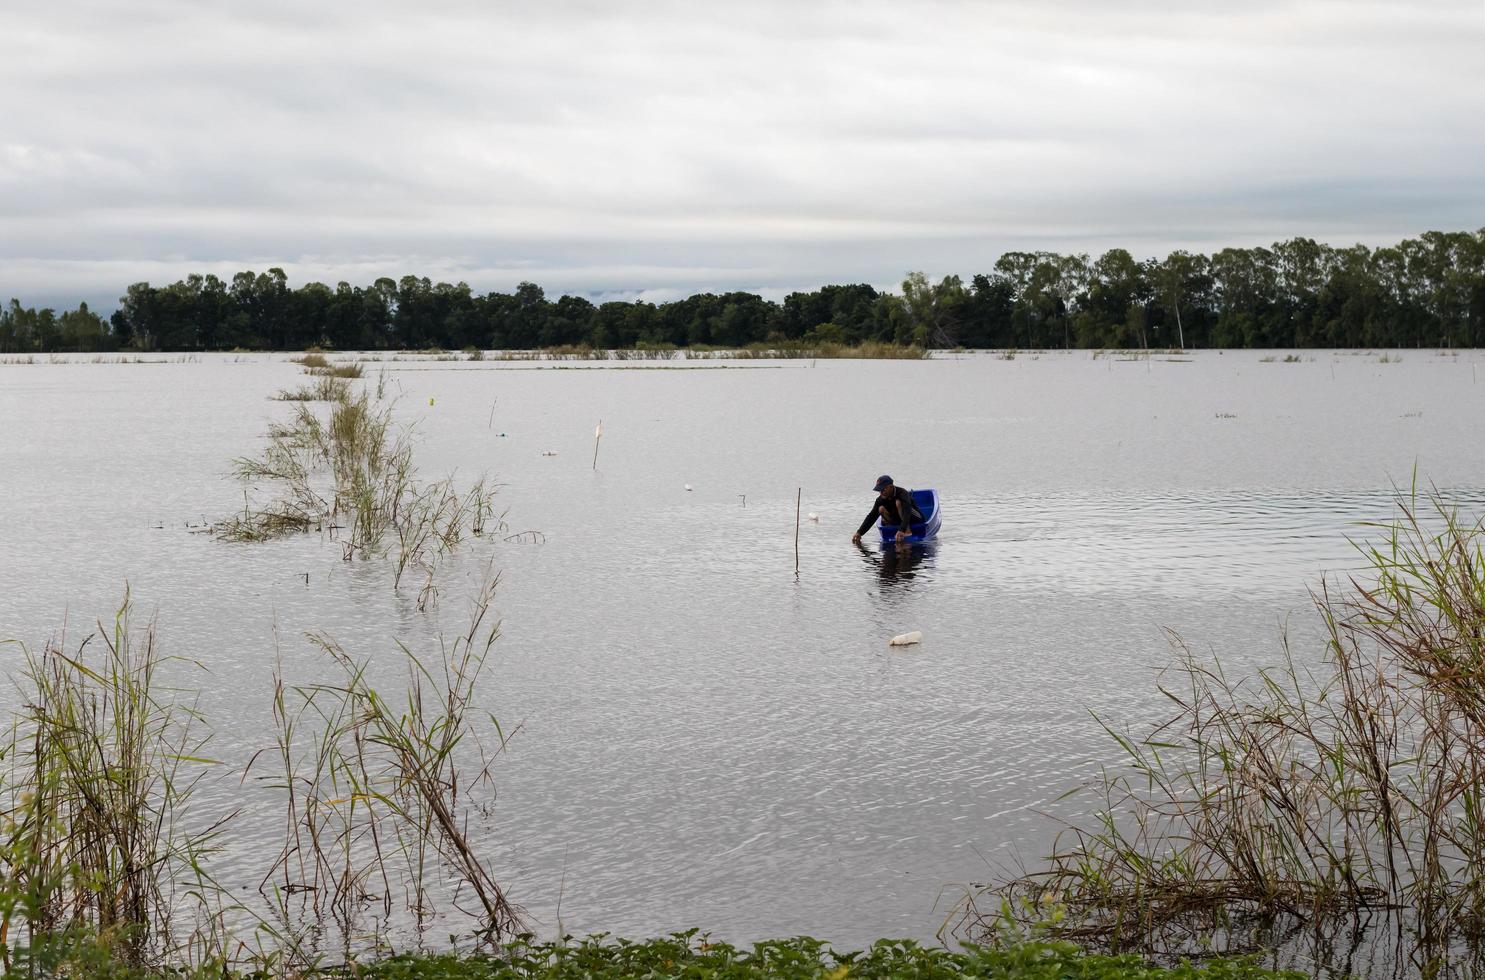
1425 292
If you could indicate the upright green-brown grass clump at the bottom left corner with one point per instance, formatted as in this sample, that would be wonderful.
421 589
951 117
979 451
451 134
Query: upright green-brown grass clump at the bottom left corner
100 767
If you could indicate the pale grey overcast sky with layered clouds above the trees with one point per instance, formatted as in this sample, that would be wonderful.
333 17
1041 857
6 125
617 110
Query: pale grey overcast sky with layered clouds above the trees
665 149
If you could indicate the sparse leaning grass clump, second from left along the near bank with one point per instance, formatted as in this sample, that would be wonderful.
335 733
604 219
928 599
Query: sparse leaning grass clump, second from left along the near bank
378 794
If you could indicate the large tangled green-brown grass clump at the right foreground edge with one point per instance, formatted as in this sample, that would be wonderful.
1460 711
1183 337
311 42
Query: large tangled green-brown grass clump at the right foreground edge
1324 789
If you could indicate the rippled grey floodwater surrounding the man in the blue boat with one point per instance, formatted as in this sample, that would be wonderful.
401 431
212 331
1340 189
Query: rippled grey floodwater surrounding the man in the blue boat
709 740
